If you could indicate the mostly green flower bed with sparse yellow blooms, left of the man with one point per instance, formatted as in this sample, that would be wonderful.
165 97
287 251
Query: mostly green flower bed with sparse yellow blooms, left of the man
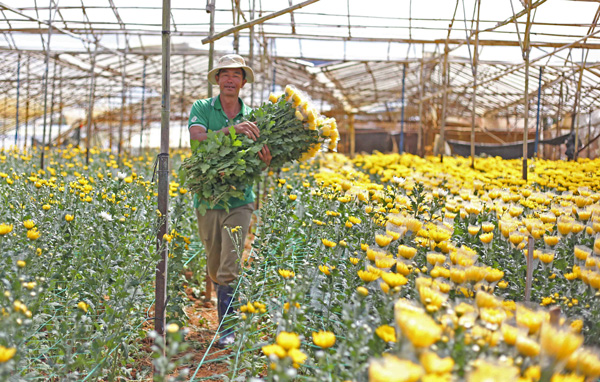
78 253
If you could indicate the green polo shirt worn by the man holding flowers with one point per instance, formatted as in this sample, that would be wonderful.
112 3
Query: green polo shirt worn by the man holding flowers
209 114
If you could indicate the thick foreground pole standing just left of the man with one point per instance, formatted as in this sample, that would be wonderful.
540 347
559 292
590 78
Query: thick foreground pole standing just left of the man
163 175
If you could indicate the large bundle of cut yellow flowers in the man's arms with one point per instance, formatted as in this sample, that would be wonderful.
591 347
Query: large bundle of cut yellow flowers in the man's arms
223 164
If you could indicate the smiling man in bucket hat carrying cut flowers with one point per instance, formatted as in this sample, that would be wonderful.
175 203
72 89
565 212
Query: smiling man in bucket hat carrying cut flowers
218 114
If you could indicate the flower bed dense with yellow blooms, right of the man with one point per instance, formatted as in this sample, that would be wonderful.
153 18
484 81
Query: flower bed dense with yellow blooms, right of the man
397 268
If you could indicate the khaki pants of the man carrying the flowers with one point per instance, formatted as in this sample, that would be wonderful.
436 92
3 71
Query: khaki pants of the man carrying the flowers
221 253
